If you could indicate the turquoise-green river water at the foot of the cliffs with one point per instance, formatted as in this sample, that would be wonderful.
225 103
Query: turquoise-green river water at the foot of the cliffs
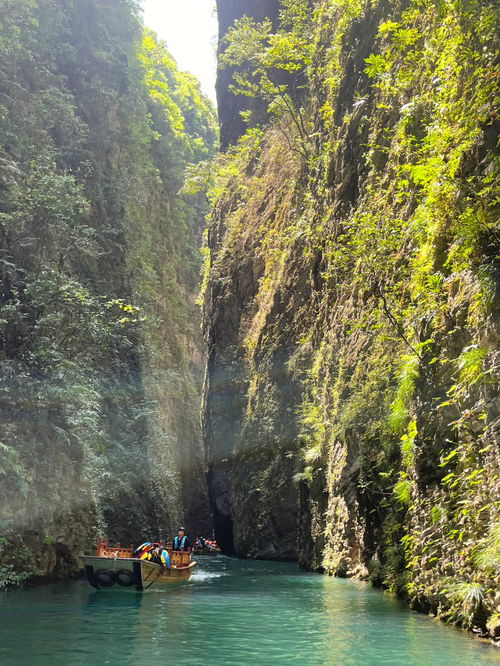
232 612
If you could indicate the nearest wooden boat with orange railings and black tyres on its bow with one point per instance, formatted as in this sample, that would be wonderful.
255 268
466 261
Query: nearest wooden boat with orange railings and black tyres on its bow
114 567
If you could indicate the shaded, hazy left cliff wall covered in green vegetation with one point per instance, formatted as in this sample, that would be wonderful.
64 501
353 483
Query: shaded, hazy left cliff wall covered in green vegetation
98 259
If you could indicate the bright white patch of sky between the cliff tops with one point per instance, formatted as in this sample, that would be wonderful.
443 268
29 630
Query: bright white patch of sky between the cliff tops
189 28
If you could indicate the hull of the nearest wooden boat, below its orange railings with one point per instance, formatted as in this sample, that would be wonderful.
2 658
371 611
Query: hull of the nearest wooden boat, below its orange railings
132 573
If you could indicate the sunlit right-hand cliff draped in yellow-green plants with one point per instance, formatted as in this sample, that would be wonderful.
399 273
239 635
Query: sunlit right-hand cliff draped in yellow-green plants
352 313
